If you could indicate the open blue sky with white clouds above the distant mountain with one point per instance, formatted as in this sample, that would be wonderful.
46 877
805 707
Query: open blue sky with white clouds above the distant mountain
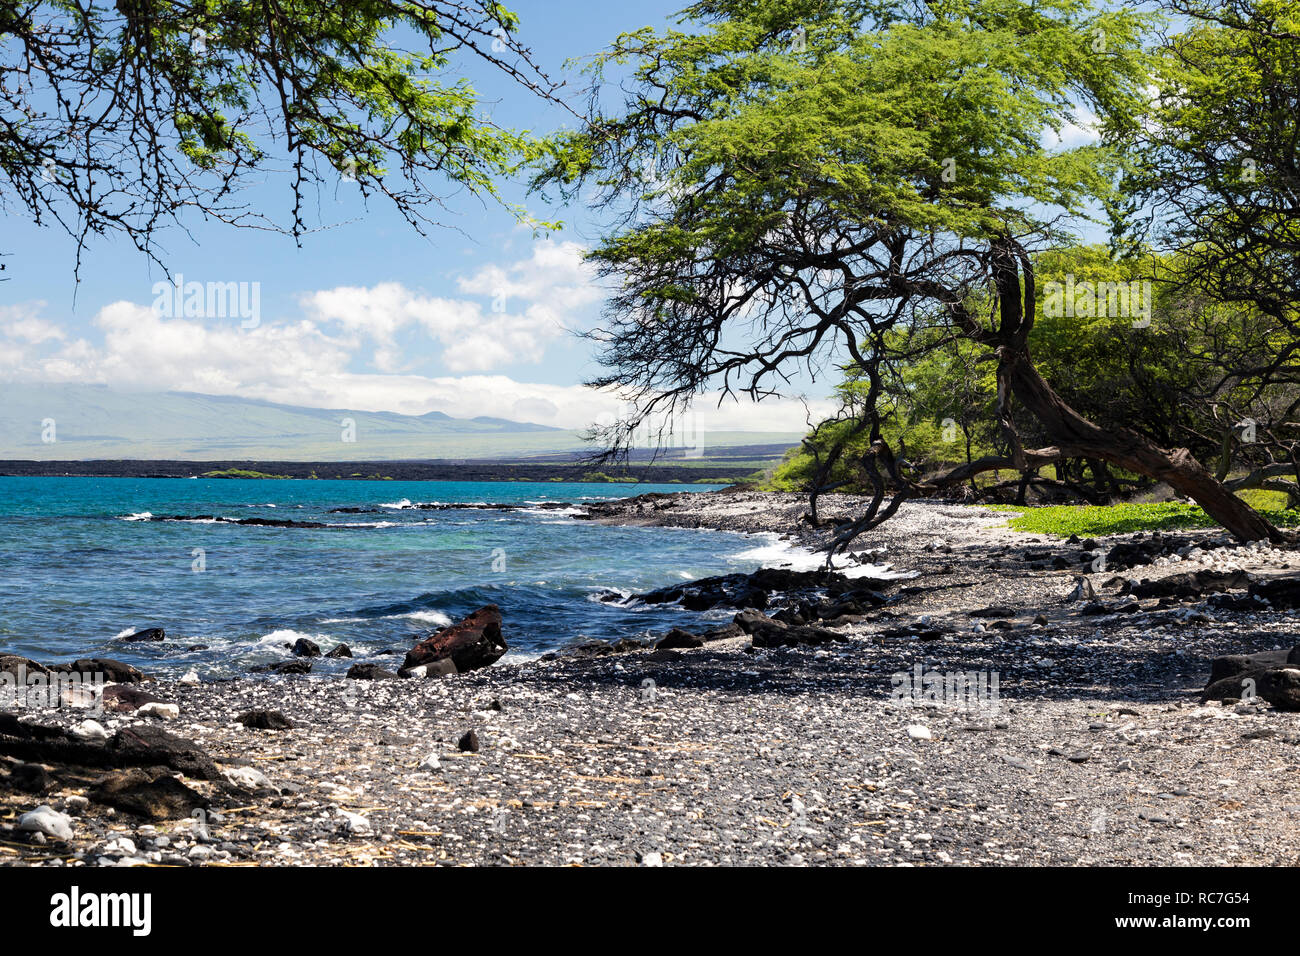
366 314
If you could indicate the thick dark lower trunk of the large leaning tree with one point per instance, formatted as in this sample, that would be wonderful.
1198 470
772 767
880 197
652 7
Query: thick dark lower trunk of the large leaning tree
1129 451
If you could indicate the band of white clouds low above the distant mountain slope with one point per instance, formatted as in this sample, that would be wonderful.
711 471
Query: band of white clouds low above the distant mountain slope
314 361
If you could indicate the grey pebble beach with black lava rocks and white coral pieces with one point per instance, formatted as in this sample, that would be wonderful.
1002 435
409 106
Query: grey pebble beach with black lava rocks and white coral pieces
1011 700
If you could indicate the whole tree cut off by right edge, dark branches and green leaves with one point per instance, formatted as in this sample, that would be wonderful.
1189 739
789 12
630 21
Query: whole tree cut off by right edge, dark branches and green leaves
1215 175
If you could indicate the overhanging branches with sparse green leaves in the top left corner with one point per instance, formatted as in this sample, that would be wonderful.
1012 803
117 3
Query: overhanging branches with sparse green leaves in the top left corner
124 119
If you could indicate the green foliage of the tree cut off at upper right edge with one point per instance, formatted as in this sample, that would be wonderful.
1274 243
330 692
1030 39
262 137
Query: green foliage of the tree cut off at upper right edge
1219 158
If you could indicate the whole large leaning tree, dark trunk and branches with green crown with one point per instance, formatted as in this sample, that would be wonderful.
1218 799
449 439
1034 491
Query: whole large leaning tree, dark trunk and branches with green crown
795 183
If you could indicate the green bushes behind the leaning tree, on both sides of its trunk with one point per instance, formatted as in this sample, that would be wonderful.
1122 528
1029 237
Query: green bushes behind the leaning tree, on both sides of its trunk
1124 348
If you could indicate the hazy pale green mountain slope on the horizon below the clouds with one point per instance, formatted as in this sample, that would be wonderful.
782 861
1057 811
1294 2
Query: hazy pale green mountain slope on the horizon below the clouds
96 422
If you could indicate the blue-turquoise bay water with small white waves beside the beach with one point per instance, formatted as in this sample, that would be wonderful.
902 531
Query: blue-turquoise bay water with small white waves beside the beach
83 565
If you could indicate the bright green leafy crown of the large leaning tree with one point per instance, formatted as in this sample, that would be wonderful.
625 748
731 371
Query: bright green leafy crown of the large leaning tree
868 115
